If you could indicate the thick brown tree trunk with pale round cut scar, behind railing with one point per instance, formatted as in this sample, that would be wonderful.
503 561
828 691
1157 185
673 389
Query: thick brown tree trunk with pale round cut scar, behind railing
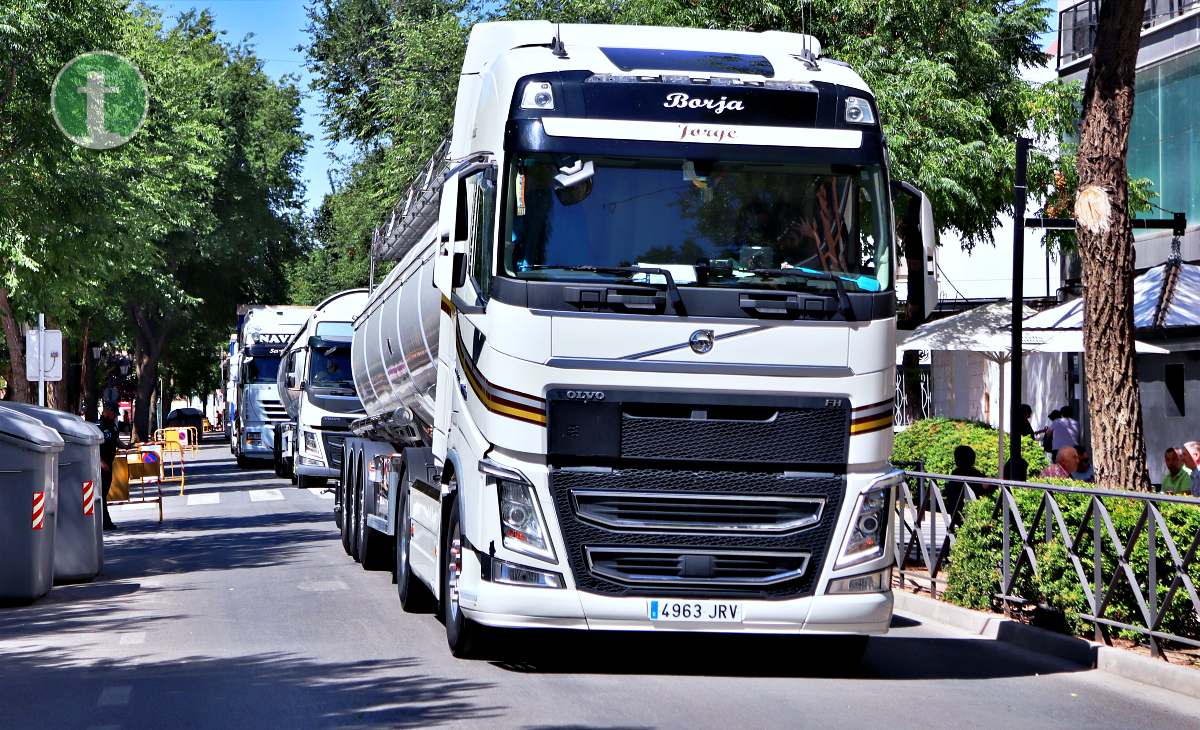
1106 247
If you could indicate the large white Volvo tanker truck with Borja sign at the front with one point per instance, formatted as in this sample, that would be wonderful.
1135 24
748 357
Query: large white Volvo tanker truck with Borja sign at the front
634 368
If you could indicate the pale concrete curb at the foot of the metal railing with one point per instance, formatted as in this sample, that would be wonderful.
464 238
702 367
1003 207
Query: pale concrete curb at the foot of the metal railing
1109 660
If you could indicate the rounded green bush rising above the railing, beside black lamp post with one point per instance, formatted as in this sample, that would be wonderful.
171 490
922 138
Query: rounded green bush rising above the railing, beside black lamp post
933 441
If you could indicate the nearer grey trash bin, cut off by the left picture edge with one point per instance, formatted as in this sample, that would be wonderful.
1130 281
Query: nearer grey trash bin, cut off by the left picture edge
29 472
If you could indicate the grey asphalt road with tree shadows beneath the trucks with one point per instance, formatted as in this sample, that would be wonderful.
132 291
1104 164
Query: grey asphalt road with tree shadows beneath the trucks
242 611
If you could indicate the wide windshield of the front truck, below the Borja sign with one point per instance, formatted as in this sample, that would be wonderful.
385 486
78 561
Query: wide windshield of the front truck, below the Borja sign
710 224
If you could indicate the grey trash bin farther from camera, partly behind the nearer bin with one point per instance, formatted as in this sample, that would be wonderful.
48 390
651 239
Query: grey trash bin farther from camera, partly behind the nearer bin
80 540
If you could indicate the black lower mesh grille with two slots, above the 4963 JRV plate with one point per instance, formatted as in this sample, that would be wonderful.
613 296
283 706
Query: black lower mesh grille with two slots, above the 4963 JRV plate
616 560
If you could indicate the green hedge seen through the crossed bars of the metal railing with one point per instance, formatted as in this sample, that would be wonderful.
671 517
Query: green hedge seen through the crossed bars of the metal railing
974 576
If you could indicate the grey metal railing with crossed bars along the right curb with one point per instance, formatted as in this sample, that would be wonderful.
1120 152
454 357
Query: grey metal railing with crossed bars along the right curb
1102 561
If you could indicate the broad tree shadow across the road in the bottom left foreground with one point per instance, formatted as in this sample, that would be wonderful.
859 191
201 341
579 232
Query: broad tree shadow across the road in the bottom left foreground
52 690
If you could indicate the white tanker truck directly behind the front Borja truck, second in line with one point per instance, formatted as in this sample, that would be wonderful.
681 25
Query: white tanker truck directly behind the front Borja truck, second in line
317 391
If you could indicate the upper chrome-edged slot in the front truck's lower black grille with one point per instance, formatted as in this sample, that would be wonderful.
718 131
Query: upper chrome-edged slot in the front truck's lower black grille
682 512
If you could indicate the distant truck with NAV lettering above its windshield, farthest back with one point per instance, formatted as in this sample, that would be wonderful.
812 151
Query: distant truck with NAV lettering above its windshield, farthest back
262 333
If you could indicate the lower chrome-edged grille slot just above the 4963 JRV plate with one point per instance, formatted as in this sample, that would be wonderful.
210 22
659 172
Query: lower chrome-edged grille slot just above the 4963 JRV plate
704 569
